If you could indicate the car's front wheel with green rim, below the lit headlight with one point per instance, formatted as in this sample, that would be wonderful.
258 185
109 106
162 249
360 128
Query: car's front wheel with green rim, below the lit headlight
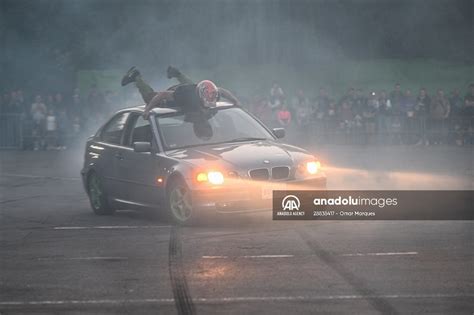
179 203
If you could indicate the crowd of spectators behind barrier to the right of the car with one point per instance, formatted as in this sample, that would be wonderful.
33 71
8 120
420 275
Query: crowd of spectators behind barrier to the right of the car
397 117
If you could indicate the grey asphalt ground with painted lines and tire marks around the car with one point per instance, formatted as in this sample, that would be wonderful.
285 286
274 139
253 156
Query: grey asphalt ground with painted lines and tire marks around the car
57 257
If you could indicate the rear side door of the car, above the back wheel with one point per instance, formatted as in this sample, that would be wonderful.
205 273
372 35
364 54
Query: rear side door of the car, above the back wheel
110 140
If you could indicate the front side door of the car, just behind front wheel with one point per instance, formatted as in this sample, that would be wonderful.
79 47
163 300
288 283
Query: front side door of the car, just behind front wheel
139 170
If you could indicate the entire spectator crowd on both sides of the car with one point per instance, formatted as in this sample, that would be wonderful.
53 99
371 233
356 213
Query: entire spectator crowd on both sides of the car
54 120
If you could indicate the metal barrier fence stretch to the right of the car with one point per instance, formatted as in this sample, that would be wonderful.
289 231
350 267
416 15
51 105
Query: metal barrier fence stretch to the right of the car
386 131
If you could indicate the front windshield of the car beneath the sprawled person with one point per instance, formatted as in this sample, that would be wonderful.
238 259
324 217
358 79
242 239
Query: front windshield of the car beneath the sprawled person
180 130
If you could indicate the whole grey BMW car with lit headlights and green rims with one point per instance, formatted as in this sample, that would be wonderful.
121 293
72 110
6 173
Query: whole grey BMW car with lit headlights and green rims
187 163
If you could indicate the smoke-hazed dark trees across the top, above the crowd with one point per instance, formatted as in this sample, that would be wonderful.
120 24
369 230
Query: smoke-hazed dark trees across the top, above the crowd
56 38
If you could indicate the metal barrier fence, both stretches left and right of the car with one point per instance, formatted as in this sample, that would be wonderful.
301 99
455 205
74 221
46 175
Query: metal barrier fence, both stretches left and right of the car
16 132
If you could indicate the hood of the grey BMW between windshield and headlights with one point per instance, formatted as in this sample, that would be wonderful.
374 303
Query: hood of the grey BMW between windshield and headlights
242 155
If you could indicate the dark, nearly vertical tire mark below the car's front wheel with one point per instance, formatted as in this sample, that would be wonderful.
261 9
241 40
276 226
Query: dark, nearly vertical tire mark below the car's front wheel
182 298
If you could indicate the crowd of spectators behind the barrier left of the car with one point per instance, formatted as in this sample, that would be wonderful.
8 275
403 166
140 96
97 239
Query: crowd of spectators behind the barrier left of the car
52 121
